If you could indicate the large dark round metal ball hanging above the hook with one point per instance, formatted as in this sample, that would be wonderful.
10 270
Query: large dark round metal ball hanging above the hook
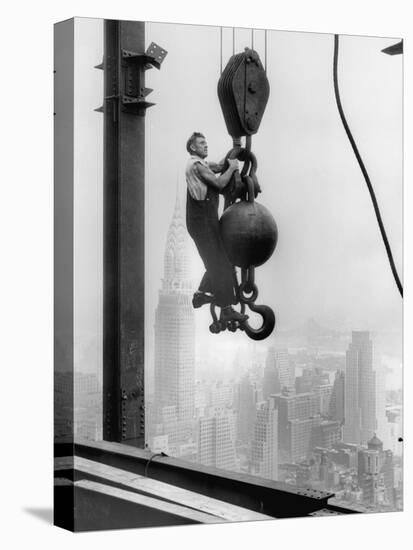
249 233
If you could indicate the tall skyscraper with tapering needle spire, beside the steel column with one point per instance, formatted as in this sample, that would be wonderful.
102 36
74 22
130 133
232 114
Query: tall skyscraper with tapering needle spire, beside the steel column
175 330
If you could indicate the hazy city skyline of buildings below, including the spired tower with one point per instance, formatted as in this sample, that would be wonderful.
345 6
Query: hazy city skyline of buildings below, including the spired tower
289 414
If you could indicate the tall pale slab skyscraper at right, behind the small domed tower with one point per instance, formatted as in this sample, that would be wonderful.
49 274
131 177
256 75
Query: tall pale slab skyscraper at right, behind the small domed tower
360 390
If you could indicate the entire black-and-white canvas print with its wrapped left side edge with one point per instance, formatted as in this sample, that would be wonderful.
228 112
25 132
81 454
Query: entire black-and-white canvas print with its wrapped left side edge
237 260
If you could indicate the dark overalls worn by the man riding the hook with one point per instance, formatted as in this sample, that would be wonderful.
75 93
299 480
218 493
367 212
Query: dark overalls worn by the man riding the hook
203 226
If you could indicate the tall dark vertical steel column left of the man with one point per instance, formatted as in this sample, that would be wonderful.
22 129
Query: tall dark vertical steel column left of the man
123 233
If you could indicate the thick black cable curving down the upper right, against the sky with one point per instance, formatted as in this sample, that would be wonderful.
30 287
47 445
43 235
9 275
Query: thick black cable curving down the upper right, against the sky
363 168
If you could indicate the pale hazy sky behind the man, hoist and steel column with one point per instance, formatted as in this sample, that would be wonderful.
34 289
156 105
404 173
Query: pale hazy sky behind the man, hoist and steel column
330 261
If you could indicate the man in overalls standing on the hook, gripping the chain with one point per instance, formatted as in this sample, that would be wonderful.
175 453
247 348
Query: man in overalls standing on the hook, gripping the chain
204 186
